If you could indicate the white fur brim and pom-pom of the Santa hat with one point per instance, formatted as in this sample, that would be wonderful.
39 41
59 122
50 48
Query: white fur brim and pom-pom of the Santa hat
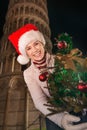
25 39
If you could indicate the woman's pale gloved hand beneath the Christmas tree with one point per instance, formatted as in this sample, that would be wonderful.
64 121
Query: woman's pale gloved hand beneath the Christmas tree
68 120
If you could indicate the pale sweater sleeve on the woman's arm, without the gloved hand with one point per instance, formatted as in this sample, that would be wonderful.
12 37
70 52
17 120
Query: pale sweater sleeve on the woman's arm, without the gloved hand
39 99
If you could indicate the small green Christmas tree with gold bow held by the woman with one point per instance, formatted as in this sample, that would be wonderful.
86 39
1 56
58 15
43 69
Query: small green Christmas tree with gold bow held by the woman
68 83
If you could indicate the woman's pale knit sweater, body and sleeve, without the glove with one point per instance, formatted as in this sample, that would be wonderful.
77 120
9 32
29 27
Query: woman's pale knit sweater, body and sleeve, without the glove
38 90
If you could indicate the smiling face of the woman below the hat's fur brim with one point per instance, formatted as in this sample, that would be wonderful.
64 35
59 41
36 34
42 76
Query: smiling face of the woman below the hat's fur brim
35 51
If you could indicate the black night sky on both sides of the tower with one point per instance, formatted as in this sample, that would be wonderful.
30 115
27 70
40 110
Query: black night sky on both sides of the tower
68 16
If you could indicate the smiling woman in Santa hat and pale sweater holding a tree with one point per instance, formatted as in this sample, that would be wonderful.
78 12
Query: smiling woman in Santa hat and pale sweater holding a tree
29 42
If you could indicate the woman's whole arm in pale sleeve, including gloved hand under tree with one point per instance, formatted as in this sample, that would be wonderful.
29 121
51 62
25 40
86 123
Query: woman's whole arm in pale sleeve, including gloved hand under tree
62 119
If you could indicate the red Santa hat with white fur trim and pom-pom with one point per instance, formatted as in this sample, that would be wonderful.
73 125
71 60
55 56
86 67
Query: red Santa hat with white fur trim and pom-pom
22 37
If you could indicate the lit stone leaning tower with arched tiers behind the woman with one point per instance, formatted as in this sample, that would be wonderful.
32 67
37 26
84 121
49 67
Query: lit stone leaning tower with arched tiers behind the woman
17 111
